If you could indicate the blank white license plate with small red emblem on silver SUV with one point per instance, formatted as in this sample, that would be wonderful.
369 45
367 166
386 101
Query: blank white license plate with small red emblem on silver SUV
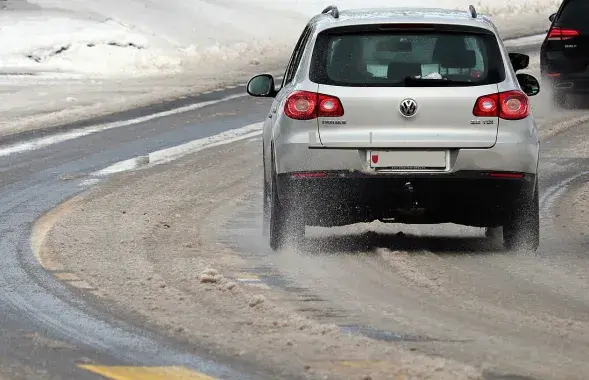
408 160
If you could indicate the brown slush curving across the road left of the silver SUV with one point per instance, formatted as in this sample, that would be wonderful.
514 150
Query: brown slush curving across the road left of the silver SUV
144 244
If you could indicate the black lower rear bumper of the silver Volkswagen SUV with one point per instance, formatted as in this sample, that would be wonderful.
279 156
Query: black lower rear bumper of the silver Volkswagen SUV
477 198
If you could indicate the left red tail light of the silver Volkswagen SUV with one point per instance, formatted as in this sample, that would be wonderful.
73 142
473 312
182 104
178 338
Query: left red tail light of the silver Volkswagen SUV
305 105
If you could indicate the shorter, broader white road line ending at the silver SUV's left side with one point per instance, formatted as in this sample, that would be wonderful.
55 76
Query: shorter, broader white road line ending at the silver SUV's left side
173 153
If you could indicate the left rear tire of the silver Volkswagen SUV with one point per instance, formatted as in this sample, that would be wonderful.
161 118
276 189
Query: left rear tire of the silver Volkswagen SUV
285 225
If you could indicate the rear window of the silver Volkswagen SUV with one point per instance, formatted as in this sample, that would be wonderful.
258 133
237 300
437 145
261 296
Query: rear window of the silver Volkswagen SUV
406 58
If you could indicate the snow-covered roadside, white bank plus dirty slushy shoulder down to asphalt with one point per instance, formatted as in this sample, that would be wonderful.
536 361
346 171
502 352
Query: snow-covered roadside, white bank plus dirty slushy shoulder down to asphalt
67 59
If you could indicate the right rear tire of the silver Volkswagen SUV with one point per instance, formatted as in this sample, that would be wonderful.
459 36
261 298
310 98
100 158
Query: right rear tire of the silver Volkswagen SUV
522 230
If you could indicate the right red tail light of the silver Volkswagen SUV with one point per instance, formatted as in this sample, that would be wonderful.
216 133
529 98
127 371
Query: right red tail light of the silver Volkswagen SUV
509 105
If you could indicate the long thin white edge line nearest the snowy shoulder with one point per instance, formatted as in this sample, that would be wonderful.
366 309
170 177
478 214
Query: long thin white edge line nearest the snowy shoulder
54 139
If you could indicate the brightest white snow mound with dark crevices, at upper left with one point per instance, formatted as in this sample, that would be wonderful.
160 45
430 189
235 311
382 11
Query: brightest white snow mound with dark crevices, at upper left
61 44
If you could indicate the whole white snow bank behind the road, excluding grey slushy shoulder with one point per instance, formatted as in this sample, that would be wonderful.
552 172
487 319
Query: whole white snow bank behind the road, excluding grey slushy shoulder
113 38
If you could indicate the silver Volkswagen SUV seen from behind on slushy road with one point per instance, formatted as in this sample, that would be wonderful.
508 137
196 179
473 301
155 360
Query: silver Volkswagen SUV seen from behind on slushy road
405 116
